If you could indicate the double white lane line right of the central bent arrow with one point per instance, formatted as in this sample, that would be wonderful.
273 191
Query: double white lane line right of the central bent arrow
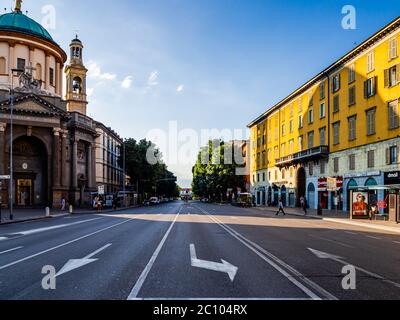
275 262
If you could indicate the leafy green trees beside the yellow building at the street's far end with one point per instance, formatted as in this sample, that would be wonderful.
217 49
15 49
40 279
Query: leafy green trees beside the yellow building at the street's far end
212 177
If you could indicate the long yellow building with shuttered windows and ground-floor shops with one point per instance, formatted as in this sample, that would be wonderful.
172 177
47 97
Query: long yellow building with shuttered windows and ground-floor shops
343 123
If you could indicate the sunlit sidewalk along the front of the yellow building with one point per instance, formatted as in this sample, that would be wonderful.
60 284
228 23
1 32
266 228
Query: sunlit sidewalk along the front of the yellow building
341 217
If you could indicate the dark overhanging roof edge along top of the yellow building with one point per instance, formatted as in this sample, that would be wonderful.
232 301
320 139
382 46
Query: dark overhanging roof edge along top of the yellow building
352 53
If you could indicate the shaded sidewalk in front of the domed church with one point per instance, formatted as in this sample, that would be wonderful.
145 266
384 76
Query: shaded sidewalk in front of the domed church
24 215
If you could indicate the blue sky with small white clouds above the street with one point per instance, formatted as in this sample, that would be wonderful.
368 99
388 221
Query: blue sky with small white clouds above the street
203 63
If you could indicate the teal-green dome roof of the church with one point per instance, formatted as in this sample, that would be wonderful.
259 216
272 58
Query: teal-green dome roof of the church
18 22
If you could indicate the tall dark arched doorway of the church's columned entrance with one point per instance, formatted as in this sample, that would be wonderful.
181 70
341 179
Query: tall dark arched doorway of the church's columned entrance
30 172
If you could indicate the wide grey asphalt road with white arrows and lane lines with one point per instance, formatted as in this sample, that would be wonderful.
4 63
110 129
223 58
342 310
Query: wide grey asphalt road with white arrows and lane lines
195 251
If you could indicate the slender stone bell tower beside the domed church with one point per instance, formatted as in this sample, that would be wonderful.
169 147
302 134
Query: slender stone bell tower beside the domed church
76 79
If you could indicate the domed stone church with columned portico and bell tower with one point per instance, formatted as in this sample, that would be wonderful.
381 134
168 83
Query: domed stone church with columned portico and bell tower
53 140
